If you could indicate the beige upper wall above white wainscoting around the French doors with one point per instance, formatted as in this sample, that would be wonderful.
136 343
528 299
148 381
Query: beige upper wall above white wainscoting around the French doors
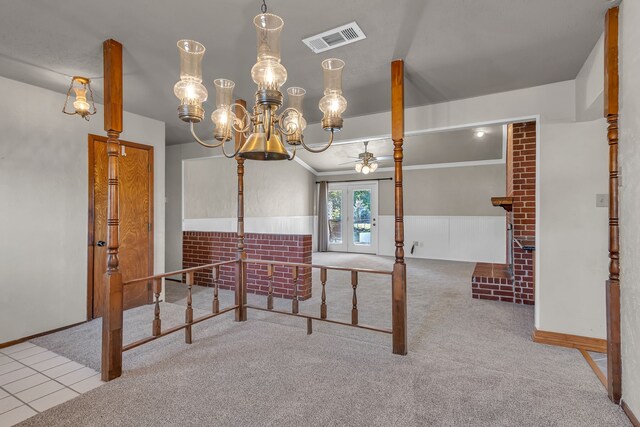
457 191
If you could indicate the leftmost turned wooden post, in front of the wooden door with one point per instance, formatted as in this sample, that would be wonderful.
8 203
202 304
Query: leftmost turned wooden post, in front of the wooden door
113 301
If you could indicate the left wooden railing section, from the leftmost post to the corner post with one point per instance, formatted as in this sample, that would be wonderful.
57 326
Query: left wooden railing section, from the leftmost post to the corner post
156 281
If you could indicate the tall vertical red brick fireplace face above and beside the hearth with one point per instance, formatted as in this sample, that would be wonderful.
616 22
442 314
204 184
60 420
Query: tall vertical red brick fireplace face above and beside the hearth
524 208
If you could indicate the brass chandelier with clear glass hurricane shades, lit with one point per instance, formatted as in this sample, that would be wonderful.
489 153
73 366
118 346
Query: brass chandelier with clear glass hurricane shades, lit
265 128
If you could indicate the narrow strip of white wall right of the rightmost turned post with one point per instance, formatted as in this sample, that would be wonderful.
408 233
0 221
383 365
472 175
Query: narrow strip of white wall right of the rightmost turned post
630 201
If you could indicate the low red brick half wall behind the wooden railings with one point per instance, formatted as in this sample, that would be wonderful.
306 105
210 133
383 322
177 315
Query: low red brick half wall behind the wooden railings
205 247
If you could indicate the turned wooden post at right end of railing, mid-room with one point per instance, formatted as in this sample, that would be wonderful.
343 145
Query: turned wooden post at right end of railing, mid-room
399 277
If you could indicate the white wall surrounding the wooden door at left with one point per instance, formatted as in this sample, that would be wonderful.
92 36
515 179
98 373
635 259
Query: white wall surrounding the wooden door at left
44 188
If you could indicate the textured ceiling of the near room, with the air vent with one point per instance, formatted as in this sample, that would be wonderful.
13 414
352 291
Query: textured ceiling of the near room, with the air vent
453 49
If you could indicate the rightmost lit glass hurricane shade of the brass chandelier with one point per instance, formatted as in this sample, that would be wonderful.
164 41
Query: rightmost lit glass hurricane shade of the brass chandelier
332 104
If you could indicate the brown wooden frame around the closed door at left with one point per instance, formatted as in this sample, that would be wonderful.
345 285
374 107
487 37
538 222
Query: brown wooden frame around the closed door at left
91 222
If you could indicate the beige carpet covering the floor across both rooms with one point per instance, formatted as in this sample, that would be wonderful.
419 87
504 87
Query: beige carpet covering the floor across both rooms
470 363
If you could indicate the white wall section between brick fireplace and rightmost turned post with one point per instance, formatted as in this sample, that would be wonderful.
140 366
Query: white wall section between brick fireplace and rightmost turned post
573 255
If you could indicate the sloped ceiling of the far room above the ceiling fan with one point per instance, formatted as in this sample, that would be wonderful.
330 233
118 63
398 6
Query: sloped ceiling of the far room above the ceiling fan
450 146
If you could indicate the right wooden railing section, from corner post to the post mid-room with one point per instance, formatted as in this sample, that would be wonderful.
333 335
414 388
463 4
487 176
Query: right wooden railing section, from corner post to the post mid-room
295 274
